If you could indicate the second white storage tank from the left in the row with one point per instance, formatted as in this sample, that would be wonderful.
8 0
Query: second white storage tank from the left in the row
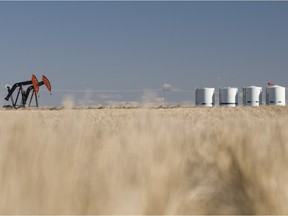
228 96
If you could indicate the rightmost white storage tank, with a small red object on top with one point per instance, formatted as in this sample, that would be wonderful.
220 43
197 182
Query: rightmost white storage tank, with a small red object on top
275 95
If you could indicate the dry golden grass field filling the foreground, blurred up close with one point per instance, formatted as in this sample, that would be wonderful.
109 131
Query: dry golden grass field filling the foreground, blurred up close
144 161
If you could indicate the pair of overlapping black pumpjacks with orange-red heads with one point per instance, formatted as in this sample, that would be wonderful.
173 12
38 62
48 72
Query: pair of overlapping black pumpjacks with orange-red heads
33 88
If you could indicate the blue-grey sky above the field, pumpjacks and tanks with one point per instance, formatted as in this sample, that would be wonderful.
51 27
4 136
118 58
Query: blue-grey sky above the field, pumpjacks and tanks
143 45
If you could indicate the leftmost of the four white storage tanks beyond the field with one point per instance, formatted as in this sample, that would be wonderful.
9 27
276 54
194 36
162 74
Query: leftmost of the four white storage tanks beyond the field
205 97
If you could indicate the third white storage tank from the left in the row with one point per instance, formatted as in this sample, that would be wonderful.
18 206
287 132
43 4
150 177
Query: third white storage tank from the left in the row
252 96
